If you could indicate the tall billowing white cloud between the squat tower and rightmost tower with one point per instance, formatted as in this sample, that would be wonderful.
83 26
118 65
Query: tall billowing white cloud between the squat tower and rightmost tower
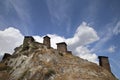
83 36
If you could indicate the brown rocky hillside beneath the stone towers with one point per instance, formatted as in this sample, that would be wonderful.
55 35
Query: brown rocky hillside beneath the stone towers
36 61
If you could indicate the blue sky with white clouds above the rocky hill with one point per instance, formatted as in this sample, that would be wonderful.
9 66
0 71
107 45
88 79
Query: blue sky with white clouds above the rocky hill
91 28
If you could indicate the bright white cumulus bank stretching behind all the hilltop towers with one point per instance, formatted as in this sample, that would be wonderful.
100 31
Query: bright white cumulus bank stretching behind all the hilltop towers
84 35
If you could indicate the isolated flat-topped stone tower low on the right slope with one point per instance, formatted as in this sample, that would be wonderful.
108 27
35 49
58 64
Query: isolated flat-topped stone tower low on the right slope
104 62
